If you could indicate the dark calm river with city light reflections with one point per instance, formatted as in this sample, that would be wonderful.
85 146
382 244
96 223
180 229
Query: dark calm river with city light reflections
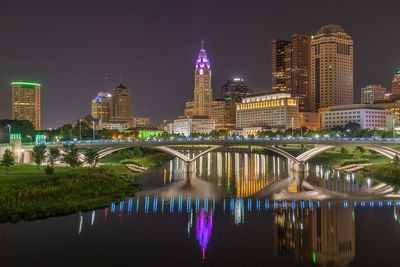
235 210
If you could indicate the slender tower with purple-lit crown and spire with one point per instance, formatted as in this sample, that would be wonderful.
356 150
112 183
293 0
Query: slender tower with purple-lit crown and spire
202 85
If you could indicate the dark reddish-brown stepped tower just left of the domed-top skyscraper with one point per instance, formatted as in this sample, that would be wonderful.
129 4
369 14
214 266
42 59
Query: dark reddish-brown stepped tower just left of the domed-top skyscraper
291 68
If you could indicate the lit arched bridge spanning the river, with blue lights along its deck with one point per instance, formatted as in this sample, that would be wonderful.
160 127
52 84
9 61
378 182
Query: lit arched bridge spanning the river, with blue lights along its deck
22 151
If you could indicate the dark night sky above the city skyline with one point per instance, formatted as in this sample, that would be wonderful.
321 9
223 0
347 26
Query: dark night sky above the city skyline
77 48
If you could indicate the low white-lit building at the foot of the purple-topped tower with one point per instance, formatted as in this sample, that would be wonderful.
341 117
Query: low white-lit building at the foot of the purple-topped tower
191 126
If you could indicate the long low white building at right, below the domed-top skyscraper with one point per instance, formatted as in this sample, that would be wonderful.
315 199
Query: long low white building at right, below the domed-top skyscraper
367 115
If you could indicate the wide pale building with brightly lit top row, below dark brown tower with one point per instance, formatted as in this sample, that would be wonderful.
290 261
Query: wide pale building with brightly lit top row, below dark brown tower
271 111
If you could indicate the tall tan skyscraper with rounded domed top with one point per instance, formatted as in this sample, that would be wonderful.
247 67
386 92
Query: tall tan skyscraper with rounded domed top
331 68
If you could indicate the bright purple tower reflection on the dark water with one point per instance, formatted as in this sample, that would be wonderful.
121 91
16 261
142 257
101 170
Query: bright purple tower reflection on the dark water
203 229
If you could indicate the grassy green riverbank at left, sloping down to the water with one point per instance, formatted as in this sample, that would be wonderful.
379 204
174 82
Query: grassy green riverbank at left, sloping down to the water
27 193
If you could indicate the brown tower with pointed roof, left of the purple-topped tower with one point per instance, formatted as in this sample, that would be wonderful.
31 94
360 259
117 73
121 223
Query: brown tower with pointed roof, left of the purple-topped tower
122 105
